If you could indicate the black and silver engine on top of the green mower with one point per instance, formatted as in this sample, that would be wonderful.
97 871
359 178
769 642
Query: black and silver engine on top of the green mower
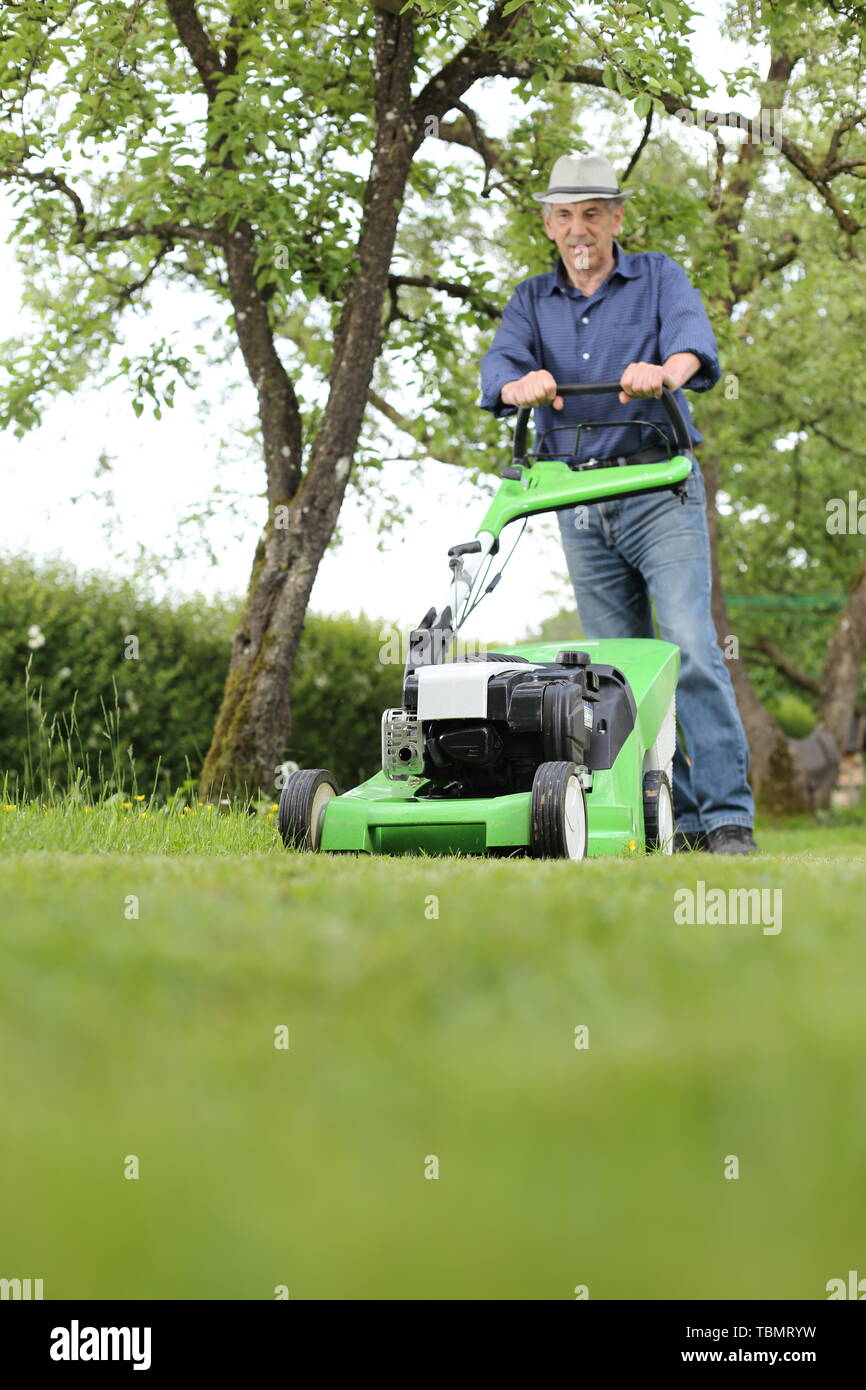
482 728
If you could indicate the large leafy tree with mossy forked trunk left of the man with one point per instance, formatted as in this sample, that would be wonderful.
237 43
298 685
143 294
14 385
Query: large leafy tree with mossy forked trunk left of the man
294 224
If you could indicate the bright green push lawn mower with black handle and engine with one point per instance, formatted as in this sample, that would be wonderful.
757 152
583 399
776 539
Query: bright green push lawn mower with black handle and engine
543 749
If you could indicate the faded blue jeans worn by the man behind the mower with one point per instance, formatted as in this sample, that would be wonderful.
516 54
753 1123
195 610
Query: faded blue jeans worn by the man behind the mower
621 555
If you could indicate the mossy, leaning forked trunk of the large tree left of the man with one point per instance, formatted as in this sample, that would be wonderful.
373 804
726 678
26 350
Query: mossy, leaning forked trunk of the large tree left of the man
255 718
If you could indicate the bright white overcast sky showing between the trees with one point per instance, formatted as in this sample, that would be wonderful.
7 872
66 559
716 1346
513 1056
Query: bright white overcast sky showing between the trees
163 471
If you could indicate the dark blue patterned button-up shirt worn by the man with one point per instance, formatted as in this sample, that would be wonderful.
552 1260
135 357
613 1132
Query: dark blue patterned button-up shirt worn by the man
644 312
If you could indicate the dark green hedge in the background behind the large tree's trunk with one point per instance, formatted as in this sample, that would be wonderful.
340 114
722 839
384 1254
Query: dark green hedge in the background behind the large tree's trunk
126 686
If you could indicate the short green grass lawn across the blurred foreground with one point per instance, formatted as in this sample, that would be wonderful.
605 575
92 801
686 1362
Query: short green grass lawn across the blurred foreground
416 1036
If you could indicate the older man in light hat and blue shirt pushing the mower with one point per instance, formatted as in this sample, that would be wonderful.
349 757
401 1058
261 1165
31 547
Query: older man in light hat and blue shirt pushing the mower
605 316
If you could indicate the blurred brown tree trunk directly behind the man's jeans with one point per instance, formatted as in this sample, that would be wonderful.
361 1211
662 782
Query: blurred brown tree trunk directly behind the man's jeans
776 778
